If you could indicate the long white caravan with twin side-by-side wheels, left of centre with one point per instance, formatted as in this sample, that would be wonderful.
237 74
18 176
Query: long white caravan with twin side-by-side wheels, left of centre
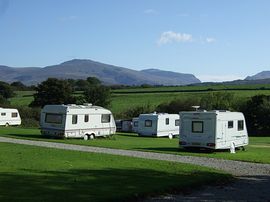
76 121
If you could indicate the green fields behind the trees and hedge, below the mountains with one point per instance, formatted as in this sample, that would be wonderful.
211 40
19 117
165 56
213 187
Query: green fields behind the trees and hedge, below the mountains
124 99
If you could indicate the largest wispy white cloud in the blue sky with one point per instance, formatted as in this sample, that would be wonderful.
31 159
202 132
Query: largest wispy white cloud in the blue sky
170 37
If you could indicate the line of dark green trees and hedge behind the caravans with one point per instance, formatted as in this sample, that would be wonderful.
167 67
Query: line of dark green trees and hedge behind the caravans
56 91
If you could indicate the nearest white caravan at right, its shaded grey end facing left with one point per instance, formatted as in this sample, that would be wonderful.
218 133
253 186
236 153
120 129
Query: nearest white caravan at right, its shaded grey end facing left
217 129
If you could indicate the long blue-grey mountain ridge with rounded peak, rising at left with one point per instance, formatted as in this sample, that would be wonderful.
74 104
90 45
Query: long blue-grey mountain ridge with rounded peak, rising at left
108 74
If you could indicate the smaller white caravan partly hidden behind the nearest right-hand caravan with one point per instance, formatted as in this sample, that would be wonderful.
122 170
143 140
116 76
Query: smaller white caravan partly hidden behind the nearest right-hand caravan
158 124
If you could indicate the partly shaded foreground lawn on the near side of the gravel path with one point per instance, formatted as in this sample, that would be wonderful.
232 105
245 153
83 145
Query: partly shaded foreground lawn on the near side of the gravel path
29 173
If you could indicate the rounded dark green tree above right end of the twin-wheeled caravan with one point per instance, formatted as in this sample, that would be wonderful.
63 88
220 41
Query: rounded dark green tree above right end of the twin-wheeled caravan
98 95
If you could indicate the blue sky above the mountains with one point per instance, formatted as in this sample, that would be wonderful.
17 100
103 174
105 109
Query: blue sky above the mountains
216 40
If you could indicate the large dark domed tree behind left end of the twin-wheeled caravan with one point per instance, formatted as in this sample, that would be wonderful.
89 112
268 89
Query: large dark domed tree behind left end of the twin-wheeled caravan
53 91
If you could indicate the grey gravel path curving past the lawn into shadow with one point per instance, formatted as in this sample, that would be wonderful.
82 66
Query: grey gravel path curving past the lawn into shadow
253 182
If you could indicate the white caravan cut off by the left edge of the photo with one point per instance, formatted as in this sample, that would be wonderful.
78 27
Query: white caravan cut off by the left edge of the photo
9 117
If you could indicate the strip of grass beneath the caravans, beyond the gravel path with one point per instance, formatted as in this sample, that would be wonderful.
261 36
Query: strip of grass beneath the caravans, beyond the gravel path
257 151
